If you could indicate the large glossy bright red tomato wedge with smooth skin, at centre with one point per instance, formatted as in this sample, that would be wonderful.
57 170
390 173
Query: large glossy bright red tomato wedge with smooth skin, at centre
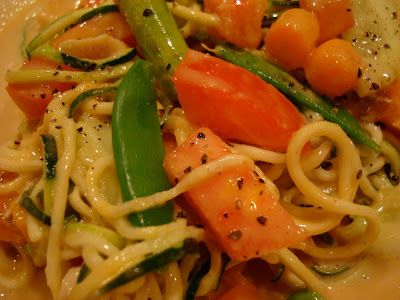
234 103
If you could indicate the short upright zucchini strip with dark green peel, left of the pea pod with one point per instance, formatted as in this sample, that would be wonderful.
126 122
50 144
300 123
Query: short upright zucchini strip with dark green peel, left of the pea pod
50 159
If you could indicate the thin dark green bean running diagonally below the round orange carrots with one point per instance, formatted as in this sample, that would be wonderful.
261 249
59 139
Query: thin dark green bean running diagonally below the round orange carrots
296 92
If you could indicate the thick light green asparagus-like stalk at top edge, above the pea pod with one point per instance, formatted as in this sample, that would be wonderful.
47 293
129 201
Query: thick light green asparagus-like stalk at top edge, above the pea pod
159 38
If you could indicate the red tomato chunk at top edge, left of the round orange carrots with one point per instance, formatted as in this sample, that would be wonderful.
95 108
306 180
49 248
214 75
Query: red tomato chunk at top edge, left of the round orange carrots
240 21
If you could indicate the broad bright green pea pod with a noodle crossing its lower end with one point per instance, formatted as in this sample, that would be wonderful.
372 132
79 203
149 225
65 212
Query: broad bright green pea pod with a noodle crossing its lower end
138 146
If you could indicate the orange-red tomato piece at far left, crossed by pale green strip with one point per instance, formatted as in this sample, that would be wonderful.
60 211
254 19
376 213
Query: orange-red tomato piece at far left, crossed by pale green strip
33 97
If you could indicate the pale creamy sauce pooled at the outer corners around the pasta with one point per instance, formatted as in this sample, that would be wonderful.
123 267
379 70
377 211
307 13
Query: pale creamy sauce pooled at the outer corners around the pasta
375 275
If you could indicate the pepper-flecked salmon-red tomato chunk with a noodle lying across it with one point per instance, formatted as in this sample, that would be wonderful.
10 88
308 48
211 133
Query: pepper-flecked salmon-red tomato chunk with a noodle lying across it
235 205
